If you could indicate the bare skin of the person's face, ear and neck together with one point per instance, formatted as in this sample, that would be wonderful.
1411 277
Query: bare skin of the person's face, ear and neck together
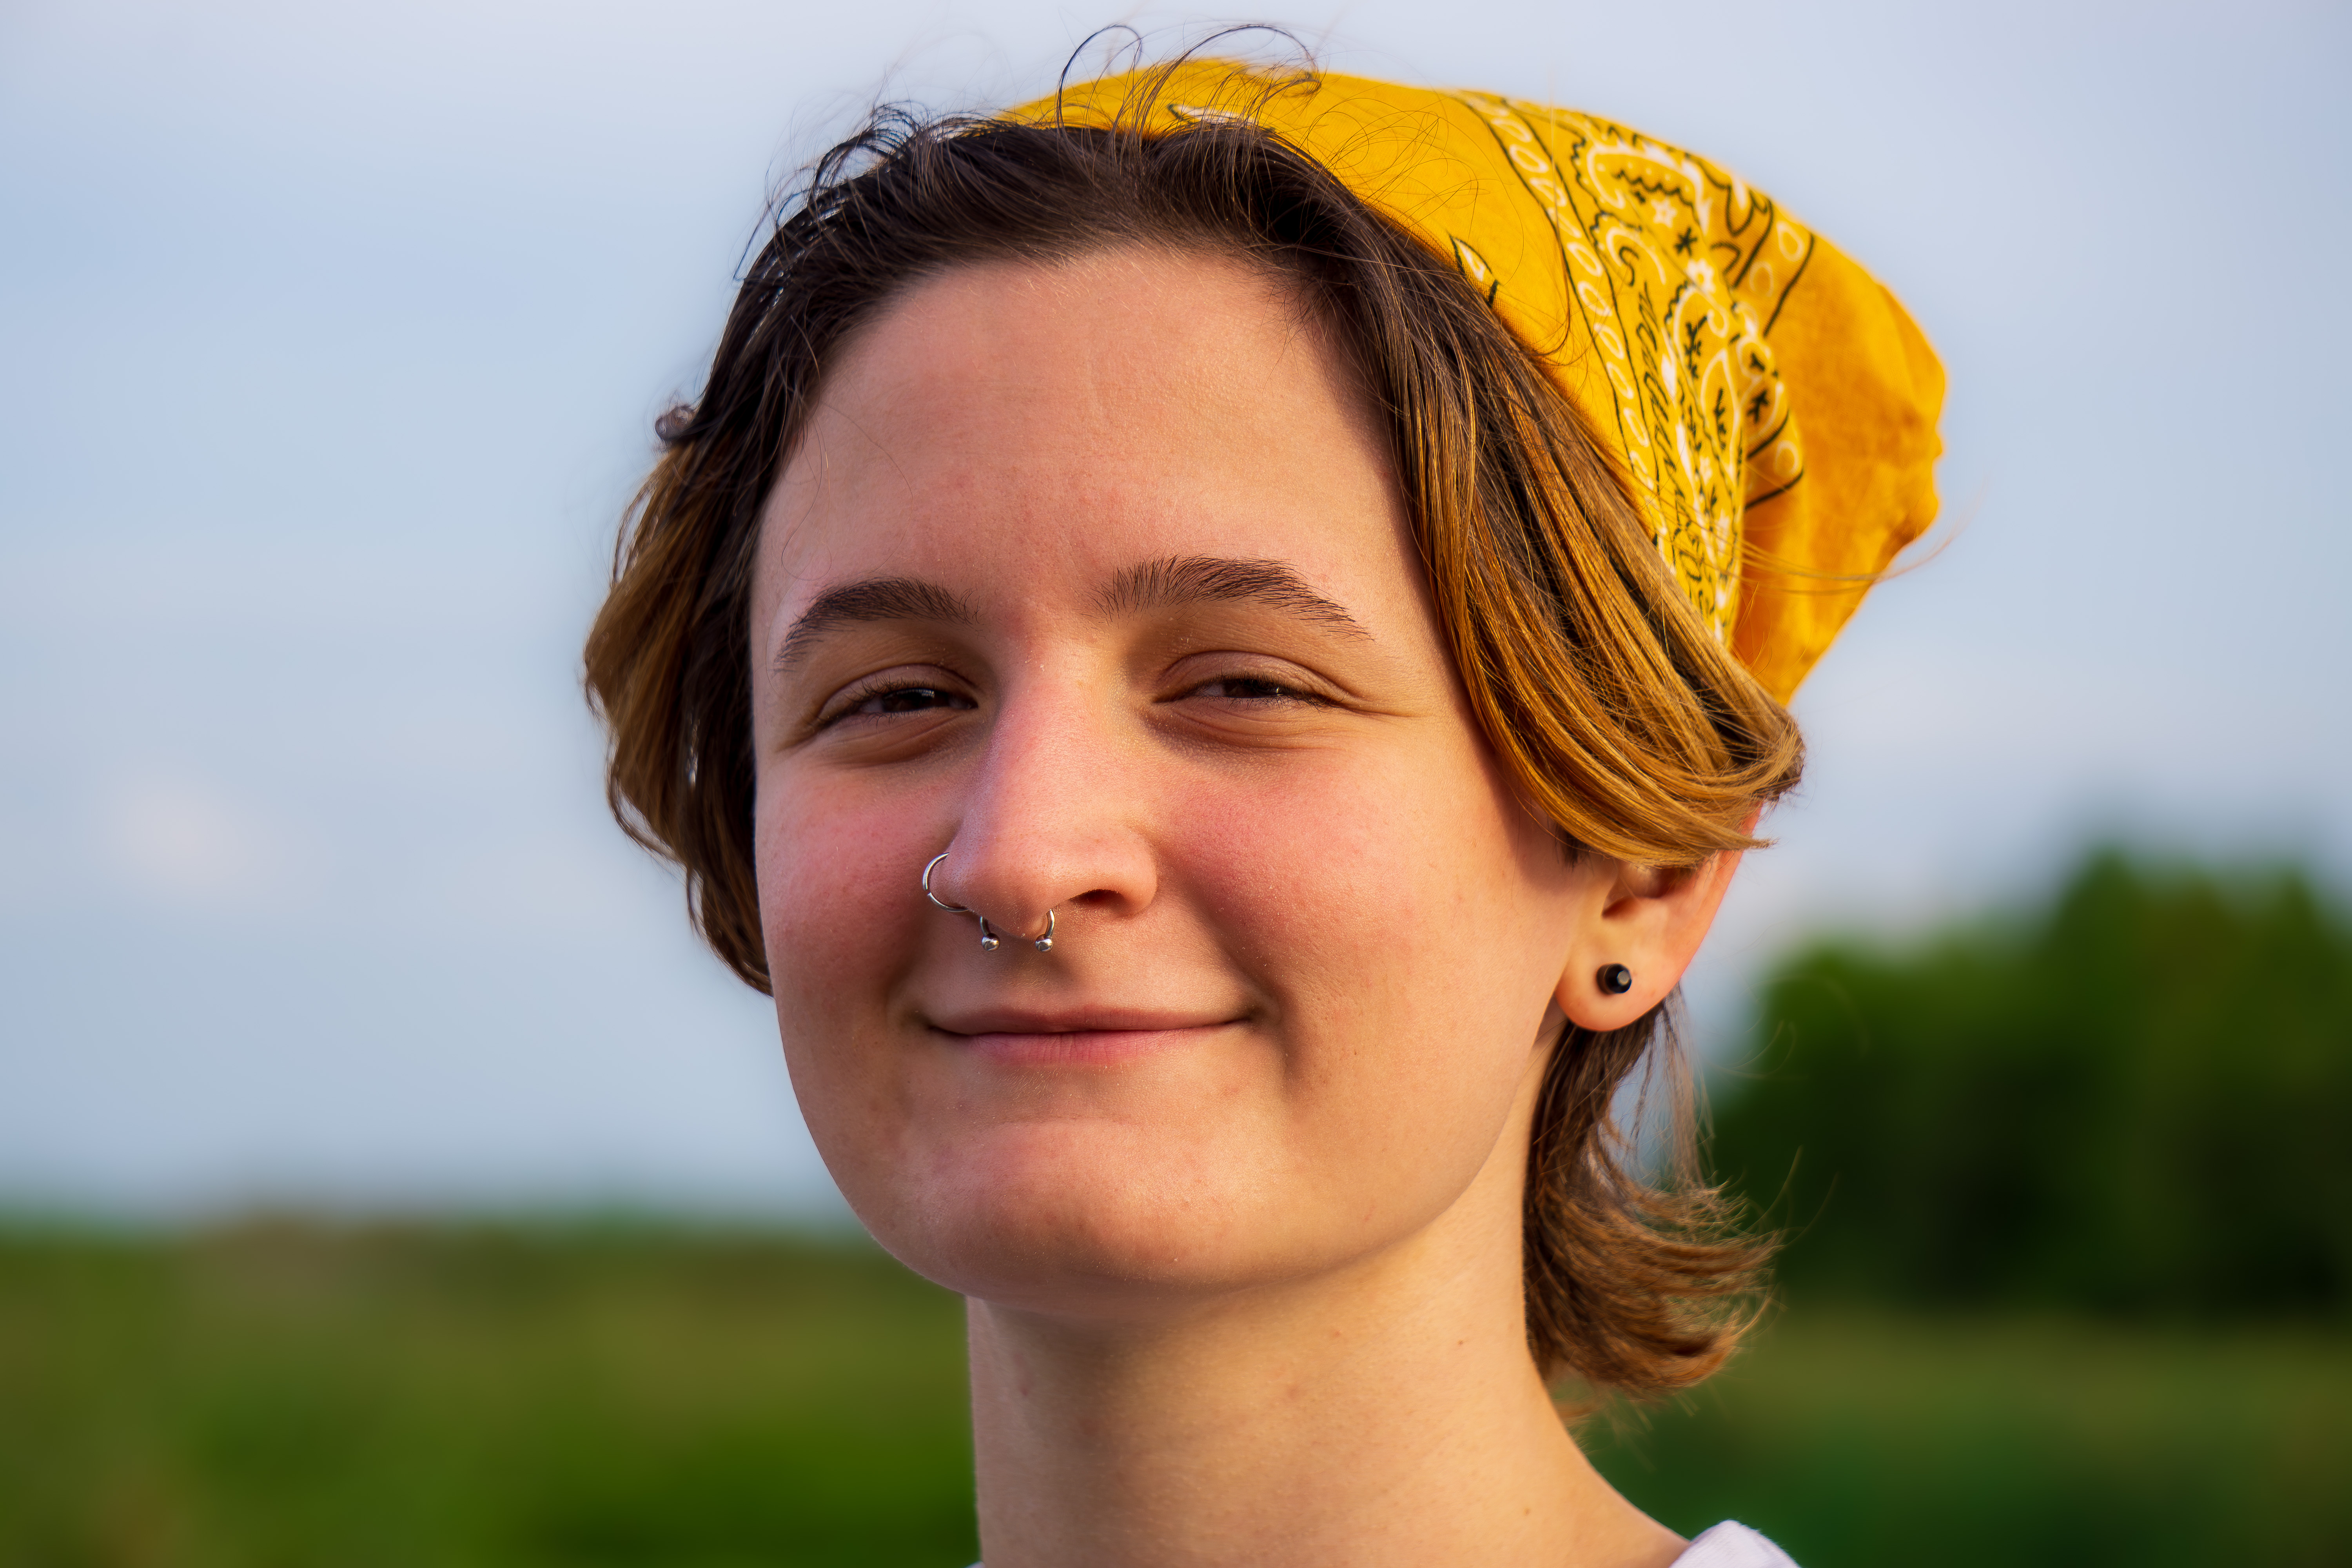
1231 1177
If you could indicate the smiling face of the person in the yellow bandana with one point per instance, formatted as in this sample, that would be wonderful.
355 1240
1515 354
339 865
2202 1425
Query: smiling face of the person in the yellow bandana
1097 577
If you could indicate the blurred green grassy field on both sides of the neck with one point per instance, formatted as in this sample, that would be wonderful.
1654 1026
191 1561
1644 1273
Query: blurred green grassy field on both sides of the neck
290 1398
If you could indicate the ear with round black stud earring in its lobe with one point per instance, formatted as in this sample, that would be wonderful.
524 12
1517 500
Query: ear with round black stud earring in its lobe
1645 918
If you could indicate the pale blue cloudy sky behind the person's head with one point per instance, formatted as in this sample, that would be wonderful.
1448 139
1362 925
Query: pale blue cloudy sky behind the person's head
330 342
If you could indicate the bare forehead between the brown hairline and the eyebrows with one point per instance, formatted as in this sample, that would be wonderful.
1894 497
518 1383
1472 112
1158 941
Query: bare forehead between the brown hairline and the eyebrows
1078 417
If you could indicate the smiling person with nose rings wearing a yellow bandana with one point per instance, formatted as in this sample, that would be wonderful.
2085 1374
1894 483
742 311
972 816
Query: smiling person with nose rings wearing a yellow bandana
1215 643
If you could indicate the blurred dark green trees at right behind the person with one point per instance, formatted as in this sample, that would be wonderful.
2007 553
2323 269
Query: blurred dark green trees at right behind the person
2137 1101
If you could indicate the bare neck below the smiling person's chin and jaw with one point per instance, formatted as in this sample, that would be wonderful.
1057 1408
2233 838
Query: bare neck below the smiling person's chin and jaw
1382 1414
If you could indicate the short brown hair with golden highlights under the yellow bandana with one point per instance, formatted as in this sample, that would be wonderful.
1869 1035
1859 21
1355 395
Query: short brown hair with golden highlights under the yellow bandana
1596 683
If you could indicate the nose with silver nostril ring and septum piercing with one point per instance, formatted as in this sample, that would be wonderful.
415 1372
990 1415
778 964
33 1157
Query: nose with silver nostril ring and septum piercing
1053 826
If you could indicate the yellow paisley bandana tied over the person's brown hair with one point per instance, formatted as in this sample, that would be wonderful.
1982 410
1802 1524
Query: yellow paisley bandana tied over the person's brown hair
1681 311
